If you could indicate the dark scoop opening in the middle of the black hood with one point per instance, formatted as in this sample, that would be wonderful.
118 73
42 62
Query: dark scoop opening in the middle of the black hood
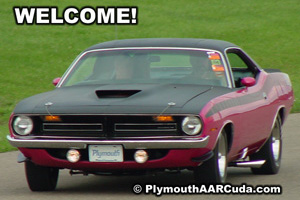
116 93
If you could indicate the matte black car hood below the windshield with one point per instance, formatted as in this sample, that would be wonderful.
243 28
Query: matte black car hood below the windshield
114 99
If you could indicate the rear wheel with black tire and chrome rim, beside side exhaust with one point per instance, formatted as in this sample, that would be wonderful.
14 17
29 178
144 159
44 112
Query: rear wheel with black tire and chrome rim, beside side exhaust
271 152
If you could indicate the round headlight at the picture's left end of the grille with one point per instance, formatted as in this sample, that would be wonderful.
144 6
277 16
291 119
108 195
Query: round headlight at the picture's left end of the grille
23 125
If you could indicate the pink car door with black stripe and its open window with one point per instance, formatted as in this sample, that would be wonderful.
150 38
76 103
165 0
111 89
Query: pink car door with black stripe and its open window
250 115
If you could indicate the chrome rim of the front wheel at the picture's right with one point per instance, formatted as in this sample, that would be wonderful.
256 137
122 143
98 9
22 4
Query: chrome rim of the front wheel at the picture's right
222 158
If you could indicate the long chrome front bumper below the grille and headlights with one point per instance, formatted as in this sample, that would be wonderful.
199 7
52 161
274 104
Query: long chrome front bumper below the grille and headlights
183 143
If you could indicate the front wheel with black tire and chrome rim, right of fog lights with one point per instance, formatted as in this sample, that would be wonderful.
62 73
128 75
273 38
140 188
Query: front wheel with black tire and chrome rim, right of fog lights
215 169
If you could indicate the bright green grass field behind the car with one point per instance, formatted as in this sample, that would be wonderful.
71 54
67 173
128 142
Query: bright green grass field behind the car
31 56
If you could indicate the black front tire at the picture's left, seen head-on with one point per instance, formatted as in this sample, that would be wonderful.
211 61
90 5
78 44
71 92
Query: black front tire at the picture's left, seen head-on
41 178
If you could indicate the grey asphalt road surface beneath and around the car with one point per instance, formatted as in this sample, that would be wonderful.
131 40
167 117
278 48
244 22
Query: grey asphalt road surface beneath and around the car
13 184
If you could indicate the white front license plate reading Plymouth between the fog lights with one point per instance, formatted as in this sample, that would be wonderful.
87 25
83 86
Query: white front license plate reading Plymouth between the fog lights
106 153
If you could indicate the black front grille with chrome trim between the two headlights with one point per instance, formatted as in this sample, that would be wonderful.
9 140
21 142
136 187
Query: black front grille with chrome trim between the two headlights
103 126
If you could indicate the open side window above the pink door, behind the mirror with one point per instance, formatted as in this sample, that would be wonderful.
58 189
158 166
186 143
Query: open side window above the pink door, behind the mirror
241 66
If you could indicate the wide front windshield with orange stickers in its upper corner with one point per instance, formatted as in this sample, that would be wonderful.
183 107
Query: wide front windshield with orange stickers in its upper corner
139 66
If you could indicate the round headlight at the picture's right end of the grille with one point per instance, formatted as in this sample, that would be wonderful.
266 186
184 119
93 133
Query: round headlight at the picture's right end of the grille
191 125
